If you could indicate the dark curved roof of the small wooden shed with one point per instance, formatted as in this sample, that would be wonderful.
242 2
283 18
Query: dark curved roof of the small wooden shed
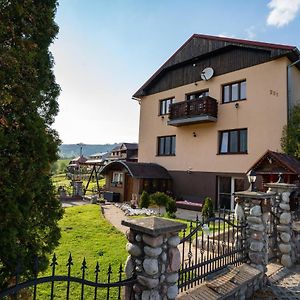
139 170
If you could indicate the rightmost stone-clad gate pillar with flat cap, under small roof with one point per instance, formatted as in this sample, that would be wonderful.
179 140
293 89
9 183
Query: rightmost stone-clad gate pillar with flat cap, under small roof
284 226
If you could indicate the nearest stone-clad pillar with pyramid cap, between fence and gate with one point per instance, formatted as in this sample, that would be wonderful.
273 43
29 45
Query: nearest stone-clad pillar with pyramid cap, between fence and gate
154 257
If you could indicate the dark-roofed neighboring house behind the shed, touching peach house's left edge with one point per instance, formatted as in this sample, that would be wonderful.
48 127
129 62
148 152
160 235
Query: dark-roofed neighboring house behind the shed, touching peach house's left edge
124 151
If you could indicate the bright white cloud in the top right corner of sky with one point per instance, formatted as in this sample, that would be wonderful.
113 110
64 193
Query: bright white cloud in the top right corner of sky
282 12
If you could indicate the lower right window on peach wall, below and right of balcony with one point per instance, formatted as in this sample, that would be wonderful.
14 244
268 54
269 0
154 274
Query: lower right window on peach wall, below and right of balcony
233 141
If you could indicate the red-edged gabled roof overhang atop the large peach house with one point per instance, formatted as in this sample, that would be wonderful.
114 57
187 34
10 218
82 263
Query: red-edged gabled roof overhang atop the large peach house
199 46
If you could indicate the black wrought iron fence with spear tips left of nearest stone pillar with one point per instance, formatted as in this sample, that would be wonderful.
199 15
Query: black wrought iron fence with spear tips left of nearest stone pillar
96 284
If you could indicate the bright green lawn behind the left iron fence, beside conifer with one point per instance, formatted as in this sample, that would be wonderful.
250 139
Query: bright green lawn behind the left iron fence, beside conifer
86 234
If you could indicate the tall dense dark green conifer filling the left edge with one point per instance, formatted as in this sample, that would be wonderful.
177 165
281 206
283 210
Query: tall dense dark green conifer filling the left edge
29 210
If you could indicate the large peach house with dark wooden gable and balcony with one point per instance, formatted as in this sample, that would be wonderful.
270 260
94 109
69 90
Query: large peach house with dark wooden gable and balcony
214 107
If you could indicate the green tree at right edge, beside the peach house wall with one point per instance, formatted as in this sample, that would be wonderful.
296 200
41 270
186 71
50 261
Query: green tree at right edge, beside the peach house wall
290 141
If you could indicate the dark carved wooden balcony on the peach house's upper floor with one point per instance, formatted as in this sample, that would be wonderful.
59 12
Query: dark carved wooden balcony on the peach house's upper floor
200 110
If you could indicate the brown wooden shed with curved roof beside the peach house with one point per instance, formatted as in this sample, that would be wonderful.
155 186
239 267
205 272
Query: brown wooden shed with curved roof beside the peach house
129 179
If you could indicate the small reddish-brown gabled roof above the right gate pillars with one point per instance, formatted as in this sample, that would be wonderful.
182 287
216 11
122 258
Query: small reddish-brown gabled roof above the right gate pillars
280 161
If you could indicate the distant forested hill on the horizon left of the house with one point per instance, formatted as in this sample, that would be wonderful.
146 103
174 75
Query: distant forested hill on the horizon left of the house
73 150
